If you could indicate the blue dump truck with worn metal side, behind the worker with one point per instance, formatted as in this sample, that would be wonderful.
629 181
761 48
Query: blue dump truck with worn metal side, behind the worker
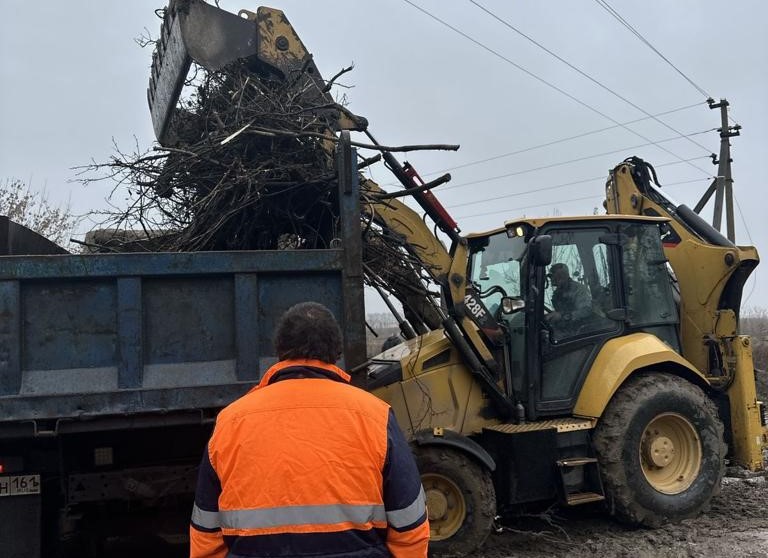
113 367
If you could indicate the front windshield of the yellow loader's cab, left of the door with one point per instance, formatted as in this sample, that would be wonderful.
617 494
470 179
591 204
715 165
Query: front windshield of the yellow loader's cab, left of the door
495 267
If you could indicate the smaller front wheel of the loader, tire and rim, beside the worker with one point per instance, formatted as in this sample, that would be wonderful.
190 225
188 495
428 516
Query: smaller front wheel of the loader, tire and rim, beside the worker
461 501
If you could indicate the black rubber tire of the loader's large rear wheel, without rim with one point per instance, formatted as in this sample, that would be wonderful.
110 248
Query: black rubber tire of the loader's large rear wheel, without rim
617 441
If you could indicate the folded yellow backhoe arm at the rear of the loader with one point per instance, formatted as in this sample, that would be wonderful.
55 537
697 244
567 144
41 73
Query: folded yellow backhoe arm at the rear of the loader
710 271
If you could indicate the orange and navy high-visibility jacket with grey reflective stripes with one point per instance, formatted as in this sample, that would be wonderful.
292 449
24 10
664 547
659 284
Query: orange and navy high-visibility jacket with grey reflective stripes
307 465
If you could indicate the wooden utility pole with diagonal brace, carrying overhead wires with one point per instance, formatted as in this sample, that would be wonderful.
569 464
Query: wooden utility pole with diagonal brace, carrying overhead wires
722 185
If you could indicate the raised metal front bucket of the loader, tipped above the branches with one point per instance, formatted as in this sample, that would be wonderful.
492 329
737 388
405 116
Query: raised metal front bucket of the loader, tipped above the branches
213 38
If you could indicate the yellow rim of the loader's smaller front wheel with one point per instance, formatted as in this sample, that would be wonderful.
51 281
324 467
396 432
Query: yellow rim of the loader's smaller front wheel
445 505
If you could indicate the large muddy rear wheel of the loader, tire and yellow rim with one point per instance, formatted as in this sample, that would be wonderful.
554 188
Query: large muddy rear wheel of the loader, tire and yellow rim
660 449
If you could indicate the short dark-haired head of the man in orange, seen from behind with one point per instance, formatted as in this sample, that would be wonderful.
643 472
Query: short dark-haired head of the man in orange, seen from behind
308 330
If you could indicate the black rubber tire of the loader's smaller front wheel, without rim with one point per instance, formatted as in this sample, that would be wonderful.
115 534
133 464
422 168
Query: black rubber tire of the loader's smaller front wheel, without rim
476 486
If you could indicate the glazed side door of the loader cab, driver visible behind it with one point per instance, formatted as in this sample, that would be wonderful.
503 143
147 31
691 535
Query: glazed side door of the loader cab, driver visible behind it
577 295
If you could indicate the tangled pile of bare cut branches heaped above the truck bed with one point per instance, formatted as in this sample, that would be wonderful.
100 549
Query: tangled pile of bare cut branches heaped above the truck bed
251 167
